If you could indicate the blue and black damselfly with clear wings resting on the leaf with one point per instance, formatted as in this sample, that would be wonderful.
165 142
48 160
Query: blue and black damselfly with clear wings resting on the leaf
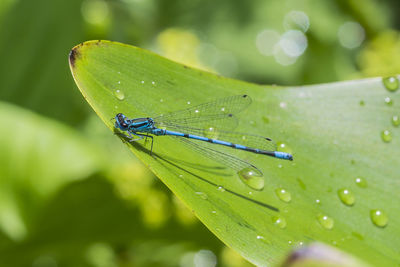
196 126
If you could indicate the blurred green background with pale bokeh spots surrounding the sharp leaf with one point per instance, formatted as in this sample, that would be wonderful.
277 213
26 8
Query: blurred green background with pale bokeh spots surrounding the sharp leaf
70 192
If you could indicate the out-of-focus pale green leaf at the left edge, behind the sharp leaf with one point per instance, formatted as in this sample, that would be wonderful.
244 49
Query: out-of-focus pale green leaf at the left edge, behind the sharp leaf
38 156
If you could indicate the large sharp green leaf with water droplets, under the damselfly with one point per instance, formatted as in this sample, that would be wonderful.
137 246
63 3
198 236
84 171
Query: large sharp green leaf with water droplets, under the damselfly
333 130
